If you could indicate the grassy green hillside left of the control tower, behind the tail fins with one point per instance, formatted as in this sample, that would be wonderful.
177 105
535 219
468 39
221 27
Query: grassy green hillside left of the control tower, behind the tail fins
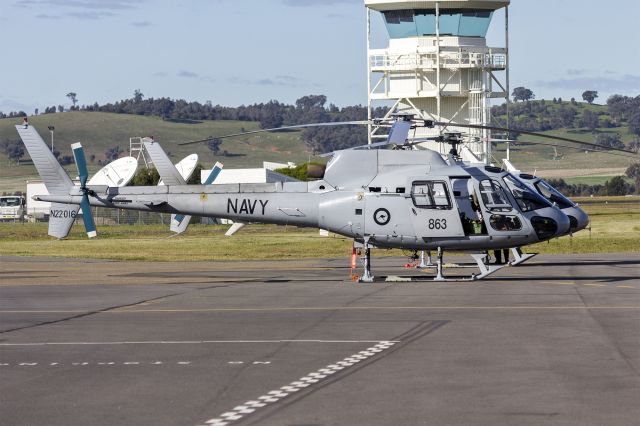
100 131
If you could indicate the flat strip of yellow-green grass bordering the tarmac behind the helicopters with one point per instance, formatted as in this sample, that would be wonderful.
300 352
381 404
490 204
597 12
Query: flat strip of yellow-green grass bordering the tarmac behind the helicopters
615 228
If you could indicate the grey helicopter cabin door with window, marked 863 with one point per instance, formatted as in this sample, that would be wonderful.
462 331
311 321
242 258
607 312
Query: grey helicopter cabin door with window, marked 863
433 208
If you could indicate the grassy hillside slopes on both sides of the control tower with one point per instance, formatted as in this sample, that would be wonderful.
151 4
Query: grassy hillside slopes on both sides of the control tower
100 131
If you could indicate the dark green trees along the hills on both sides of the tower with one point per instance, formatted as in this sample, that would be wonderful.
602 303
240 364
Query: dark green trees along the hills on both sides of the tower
529 115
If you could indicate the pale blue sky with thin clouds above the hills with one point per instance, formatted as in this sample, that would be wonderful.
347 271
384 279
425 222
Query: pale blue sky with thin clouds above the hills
236 52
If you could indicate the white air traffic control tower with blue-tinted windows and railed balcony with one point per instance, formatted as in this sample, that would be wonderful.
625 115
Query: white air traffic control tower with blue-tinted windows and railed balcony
438 66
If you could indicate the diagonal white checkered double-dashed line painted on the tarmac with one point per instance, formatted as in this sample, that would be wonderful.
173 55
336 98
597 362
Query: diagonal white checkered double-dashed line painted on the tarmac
310 379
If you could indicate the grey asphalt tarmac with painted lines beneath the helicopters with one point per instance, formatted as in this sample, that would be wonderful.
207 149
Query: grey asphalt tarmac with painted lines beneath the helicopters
555 341
